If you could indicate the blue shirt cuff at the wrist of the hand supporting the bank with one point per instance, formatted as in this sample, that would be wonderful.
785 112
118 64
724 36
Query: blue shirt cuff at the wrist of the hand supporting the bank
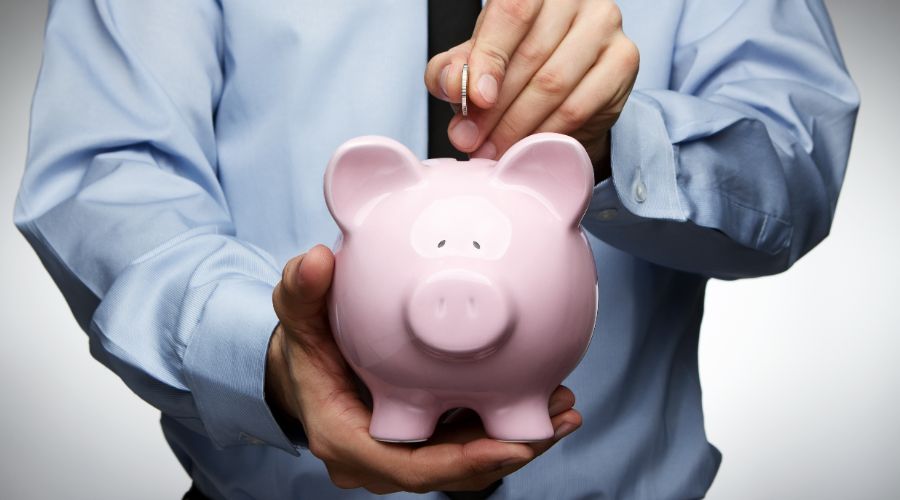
225 366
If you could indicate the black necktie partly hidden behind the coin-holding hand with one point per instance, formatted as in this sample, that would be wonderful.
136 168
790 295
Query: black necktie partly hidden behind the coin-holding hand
450 23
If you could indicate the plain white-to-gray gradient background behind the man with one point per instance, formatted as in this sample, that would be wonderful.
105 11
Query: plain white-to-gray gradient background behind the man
800 371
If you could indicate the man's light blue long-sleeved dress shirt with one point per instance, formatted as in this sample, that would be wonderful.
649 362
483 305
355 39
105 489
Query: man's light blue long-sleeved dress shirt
176 159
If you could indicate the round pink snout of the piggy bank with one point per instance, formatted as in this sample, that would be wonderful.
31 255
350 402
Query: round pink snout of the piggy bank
459 315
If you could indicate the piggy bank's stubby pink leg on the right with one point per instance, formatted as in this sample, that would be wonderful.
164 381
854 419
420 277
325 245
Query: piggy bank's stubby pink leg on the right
524 420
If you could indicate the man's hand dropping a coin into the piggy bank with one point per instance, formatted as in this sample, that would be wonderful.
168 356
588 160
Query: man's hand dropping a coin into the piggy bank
539 66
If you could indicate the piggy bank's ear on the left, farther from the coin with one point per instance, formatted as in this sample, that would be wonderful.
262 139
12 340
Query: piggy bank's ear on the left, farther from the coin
363 169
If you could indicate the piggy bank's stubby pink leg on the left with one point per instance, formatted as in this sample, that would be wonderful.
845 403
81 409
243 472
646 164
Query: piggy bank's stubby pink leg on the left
402 420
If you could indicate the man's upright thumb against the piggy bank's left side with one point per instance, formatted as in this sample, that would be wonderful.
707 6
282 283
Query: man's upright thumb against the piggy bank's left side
304 285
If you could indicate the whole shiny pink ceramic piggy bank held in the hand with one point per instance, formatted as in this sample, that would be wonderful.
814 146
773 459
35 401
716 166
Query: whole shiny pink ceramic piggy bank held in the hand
462 284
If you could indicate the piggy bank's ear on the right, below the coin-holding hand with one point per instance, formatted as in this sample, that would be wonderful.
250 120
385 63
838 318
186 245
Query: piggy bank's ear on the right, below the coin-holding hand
555 167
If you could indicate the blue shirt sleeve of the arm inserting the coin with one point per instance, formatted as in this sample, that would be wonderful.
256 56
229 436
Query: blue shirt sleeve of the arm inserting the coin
735 170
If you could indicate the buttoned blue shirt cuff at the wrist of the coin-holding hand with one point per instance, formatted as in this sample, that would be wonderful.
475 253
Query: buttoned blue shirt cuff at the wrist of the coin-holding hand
643 182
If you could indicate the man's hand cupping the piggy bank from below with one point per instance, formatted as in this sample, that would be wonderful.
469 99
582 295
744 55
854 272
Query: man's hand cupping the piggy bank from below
308 379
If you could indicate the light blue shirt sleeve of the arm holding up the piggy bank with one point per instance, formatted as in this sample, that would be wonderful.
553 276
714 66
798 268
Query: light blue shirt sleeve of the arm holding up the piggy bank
121 201
